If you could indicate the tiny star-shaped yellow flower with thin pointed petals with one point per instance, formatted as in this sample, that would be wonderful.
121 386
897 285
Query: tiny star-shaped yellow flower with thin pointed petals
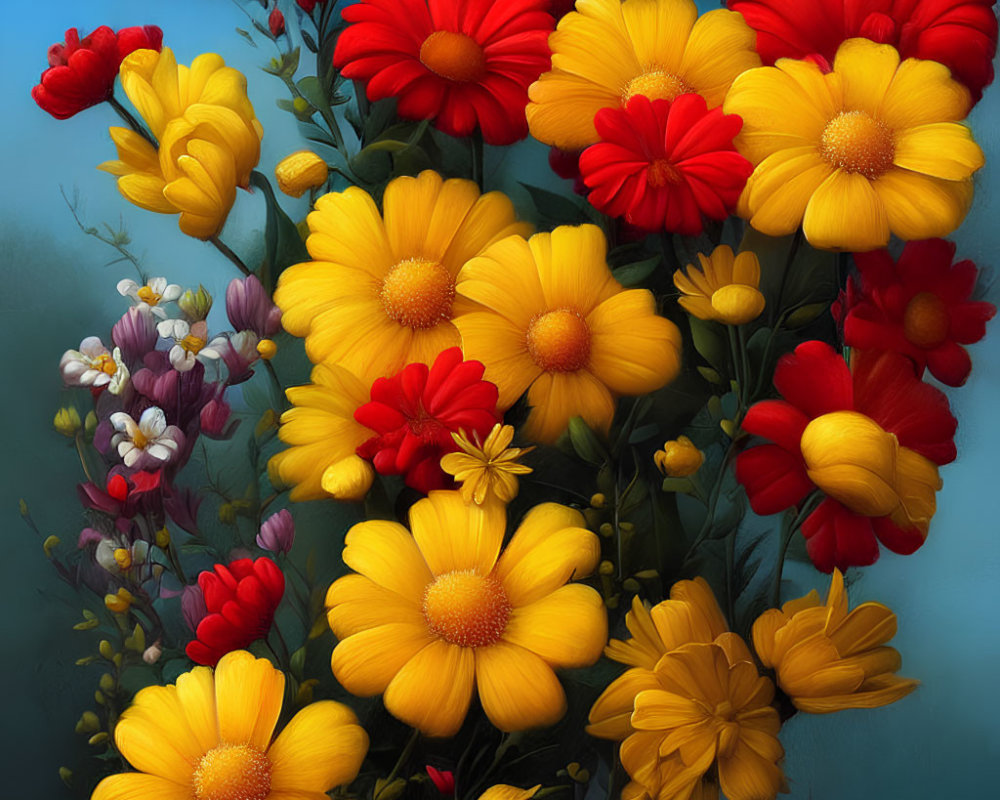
487 469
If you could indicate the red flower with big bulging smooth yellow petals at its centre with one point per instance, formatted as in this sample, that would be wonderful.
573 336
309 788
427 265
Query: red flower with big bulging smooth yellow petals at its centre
882 396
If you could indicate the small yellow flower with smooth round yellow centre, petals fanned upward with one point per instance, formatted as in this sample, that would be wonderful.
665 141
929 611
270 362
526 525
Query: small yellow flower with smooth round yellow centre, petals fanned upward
724 289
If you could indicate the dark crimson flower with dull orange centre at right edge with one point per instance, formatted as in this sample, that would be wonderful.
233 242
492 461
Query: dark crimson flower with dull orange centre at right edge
918 306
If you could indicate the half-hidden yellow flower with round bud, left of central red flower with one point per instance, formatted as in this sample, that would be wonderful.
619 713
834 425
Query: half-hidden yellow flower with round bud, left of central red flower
323 437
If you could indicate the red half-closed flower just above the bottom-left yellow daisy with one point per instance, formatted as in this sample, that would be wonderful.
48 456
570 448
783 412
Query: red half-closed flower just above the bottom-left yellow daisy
241 600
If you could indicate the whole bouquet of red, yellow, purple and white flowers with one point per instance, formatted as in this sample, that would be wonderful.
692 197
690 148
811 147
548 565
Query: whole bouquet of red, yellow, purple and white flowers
482 486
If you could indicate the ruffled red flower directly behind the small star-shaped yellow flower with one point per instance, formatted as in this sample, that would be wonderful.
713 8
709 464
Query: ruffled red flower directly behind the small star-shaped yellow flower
416 411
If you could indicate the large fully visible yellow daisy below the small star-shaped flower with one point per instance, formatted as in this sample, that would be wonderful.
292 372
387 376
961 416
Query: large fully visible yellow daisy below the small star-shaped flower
437 614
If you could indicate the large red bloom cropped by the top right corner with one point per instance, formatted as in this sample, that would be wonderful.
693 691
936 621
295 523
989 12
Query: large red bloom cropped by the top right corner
961 34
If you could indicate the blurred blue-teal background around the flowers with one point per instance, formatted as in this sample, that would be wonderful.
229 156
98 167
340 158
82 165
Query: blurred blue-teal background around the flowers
942 741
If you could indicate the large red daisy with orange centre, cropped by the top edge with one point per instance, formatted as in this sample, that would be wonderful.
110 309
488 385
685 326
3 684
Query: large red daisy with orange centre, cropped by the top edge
462 63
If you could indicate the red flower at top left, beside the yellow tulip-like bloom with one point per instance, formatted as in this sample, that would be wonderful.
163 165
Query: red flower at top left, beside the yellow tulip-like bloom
82 72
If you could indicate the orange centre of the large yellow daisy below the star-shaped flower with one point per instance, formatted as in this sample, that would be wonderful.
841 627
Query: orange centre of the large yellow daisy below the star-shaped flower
466 609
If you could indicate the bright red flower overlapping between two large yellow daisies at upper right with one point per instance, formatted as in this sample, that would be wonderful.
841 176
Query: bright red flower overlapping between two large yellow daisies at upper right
665 165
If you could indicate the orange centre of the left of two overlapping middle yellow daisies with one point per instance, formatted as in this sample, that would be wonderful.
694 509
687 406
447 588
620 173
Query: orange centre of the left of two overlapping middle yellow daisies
418 293
